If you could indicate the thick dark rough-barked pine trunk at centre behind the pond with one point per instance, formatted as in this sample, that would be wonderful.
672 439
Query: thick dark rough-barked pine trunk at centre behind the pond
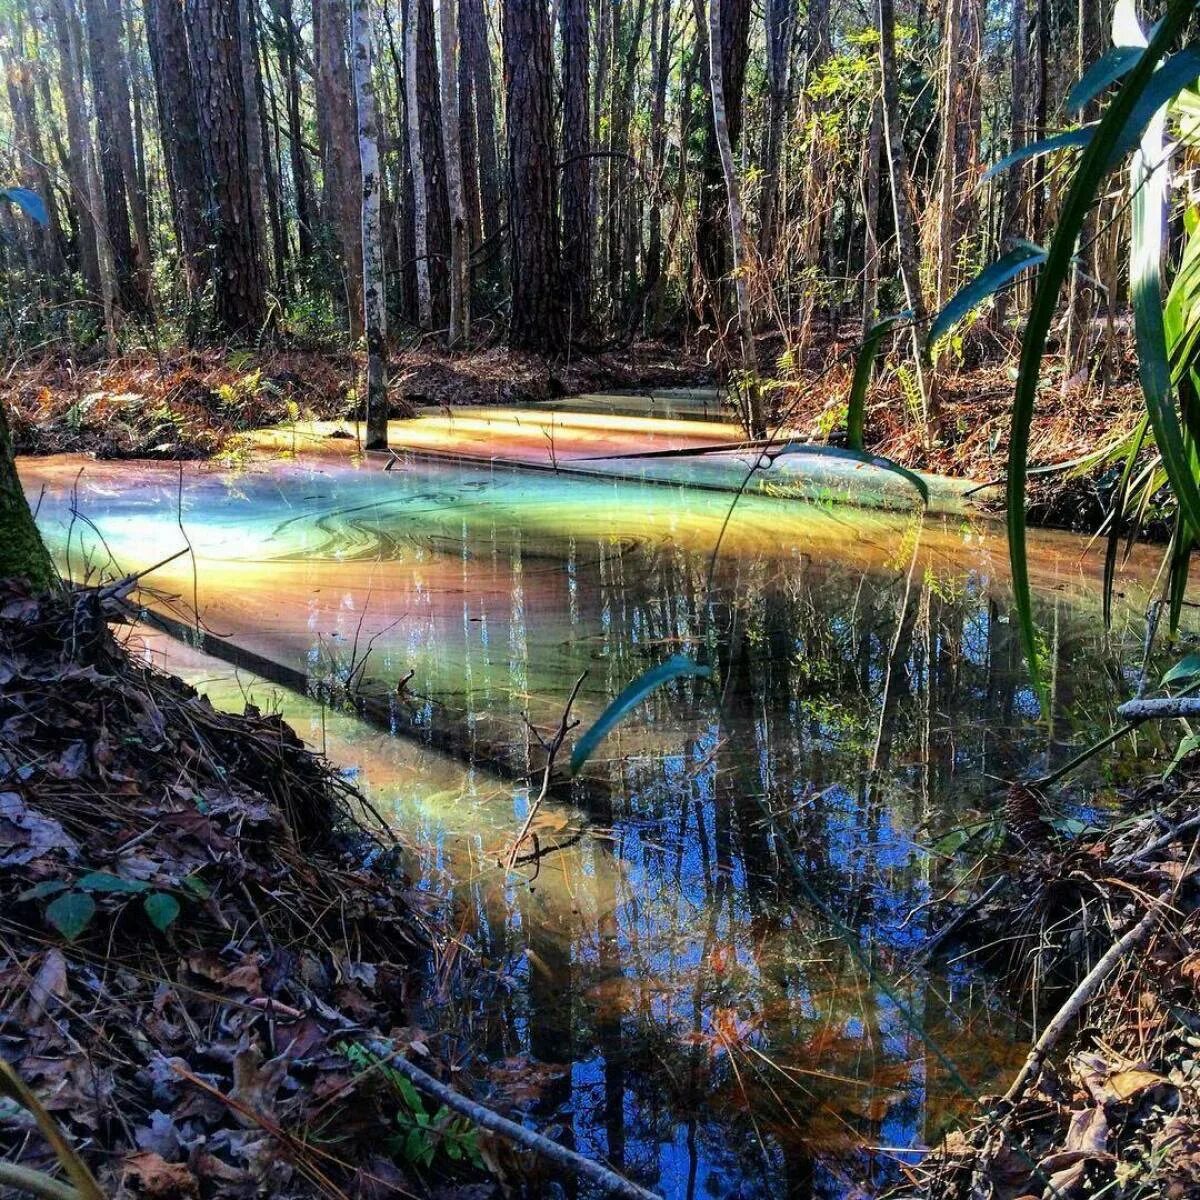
536 322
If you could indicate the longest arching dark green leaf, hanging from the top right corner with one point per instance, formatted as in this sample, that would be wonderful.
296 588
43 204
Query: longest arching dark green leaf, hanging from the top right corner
1089 177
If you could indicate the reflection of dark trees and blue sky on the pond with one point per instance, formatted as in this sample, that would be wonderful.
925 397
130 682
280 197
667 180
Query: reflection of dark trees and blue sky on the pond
855 711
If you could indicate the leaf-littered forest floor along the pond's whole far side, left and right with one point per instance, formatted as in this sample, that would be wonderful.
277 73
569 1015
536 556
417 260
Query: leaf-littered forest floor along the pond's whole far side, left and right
195 405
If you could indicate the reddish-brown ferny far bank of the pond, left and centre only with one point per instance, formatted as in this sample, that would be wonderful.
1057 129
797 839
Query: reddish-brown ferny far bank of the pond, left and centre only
183 404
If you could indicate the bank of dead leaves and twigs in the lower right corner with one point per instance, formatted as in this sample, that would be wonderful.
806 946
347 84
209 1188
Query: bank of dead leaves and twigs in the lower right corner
1103 932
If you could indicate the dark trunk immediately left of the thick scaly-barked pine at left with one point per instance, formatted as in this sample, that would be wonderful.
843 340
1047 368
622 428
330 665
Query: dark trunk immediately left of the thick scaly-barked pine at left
181 135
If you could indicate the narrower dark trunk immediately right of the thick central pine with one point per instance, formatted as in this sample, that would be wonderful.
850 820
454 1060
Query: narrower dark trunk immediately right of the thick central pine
577 167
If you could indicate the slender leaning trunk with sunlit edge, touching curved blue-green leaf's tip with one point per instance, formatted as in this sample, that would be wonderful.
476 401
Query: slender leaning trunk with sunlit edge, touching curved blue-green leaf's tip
904 211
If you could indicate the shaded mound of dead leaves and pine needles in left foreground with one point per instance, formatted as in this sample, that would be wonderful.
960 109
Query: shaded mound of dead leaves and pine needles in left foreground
188 931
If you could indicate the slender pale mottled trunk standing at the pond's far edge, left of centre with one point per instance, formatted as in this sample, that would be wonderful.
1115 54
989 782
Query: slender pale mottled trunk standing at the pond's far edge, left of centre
375 315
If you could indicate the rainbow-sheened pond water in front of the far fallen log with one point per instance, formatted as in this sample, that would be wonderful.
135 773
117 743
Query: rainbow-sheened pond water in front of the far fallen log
707 977
